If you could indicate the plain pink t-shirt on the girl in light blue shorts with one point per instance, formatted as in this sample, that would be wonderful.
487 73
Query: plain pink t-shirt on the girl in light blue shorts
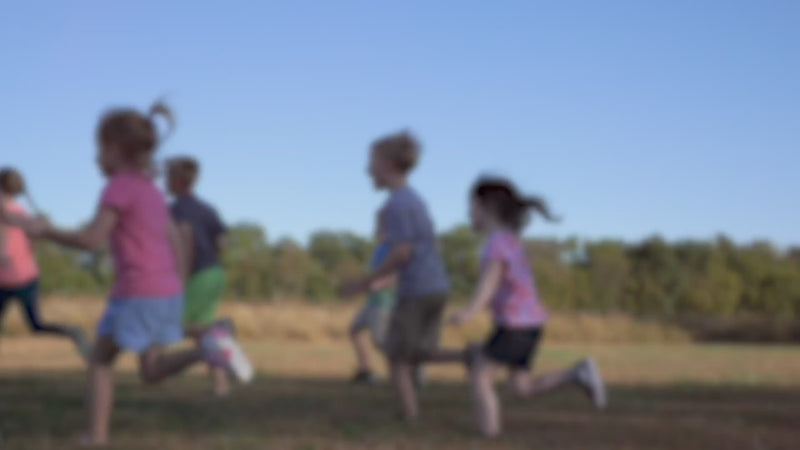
144 260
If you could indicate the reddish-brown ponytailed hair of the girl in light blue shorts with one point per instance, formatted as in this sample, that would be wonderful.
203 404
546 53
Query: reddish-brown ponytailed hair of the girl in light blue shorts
134 132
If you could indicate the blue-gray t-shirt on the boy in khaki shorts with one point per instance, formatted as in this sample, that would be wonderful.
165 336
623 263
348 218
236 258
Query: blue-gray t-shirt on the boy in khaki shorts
406 220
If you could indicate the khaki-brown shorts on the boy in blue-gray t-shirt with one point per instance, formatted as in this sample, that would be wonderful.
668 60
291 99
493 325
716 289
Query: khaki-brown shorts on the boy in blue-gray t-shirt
415 328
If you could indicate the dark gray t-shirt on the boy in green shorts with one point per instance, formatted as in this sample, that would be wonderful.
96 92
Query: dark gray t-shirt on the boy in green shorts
206 229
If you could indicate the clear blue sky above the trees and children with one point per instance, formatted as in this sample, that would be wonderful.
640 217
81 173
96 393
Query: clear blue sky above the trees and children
680 118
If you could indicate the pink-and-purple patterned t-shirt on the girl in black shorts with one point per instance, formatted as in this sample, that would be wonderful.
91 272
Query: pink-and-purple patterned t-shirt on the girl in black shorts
516 303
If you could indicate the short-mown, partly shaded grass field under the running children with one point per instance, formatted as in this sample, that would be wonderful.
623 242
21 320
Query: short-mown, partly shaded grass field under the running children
662 397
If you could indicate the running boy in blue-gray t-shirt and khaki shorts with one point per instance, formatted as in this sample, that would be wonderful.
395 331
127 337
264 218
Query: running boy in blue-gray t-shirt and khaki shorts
422 285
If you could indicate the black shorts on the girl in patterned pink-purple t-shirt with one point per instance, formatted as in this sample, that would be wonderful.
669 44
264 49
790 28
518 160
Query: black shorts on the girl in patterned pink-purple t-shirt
514 348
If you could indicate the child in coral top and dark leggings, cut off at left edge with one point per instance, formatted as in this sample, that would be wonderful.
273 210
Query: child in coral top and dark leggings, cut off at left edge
19 273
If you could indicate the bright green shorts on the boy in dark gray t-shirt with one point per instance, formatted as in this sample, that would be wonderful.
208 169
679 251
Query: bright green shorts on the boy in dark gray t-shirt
203 294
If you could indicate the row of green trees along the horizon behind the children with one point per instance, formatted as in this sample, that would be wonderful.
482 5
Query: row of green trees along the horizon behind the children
656 278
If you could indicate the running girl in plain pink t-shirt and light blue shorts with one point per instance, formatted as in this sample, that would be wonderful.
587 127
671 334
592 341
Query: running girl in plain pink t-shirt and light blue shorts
145 307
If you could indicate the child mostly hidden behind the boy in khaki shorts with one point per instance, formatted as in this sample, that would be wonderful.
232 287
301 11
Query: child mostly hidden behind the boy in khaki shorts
374 316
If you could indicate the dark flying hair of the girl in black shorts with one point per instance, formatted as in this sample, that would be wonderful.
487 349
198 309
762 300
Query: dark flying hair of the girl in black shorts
500 196
